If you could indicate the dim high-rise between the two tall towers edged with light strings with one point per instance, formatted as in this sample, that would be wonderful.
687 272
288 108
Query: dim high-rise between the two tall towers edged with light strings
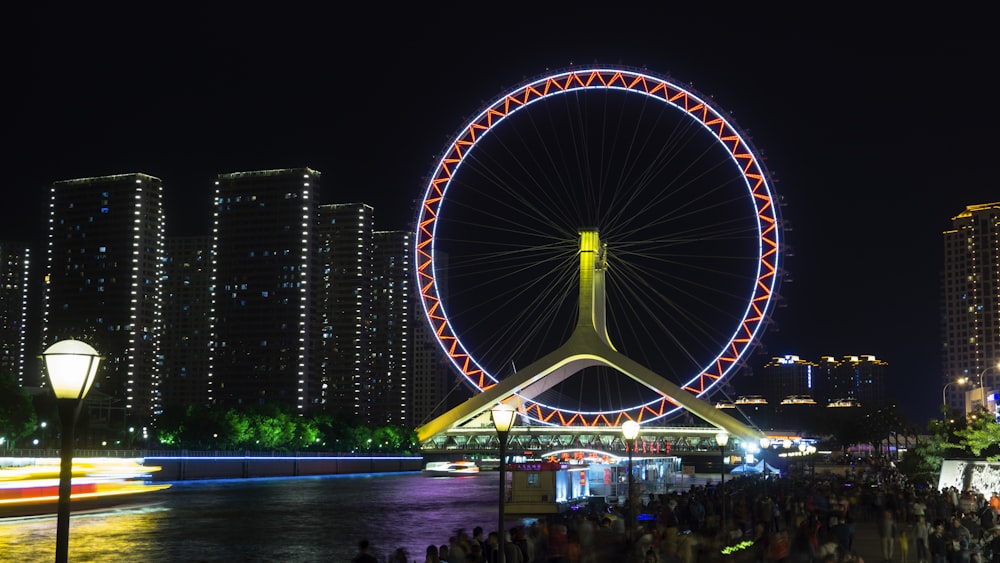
187 327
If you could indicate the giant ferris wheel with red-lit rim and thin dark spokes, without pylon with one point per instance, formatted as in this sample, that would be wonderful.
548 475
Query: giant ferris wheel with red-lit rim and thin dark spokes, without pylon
682 204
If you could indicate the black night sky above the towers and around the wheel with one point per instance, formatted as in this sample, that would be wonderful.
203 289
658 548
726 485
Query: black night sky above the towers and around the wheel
878 129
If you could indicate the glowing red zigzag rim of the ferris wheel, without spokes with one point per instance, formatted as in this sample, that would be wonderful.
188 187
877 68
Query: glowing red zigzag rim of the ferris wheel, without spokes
603 78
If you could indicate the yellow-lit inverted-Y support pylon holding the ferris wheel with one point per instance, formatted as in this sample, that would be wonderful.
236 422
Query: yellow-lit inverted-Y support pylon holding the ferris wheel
588 345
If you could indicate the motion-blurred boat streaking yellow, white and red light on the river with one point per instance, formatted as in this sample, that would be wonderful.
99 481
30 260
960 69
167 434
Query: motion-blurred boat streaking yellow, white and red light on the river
30 487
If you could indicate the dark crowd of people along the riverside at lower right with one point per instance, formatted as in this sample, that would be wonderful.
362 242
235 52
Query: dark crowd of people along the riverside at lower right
786 519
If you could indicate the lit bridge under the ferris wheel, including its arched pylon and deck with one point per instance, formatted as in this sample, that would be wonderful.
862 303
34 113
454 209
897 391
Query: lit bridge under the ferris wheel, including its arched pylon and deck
468 427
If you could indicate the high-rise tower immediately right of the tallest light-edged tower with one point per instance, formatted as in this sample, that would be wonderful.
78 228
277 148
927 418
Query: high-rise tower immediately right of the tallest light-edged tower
345 234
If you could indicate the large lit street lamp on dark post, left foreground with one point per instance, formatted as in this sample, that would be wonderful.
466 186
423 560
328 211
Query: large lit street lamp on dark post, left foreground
71 366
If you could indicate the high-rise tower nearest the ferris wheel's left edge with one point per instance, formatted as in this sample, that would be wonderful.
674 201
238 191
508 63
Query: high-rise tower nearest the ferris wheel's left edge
389 386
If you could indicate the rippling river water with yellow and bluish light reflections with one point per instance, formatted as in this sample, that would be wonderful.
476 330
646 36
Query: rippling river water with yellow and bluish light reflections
294 519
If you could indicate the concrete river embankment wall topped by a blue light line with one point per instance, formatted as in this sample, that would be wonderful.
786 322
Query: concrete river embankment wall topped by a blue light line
181 468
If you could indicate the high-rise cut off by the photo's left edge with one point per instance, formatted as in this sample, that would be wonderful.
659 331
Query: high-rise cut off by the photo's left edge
15 299
